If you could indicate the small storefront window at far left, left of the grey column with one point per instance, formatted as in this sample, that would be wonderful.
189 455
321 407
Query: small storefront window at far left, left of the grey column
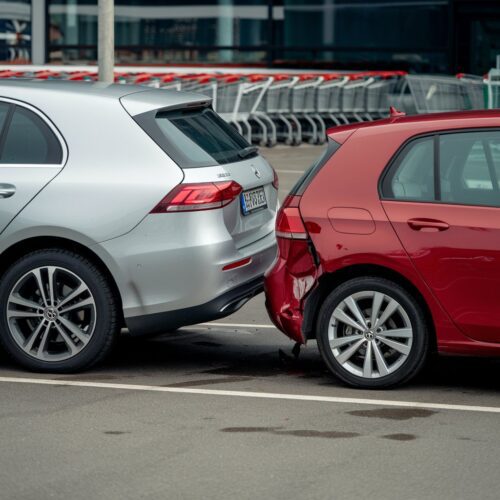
15 31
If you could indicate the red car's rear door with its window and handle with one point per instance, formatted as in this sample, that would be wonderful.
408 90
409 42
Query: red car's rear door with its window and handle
442 197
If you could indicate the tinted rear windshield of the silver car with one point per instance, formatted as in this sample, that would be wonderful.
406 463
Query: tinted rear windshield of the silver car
198 138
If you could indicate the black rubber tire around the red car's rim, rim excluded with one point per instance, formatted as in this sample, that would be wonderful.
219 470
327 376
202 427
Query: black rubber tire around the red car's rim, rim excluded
418 353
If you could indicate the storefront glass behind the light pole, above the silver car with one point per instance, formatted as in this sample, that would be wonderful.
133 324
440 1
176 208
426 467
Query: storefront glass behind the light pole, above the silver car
164 31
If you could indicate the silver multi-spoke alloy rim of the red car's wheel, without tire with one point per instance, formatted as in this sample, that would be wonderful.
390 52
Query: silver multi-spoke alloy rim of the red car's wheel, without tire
370 334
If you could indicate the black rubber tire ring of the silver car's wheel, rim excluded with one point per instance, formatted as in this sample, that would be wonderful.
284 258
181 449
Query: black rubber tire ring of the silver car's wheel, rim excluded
104 330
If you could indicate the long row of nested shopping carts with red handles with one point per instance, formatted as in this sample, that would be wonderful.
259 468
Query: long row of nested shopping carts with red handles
296 108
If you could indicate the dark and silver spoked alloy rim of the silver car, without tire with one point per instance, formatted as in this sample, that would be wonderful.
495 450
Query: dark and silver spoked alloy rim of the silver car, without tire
51 313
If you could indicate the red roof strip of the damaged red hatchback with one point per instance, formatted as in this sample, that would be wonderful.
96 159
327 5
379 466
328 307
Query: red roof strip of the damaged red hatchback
423 122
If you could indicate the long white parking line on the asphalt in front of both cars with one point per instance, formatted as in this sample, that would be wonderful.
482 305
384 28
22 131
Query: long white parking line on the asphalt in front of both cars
248 394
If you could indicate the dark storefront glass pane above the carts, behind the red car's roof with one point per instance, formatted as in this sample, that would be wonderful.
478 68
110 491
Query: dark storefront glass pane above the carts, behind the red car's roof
386 33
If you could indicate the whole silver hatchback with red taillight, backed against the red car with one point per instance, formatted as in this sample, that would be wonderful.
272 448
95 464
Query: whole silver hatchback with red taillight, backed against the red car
122 206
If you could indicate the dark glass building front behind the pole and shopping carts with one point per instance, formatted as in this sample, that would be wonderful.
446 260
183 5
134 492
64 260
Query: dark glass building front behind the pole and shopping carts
432 36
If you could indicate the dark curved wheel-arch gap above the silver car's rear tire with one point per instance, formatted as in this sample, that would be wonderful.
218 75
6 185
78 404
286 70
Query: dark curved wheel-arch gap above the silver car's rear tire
28 245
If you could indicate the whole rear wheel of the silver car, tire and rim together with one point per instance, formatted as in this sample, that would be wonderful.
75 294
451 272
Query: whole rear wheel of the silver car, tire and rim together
65 329
